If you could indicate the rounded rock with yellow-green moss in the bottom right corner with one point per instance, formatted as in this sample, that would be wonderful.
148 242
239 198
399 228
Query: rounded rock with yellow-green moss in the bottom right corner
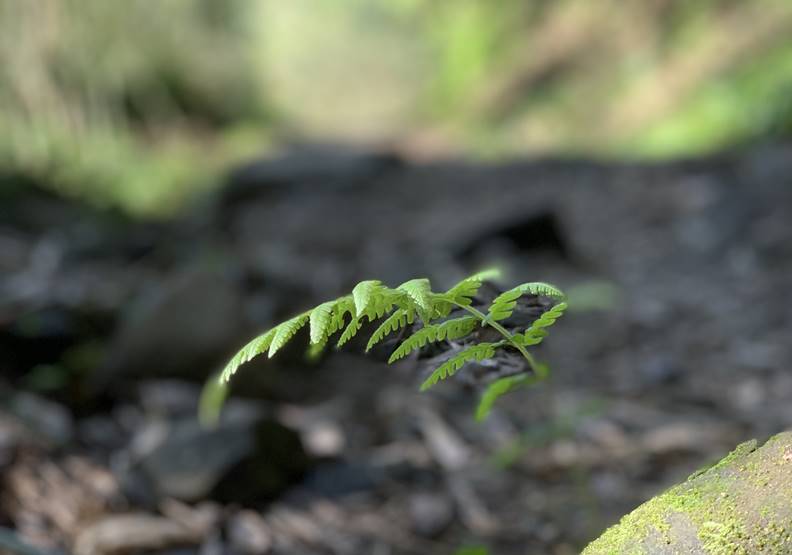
740 505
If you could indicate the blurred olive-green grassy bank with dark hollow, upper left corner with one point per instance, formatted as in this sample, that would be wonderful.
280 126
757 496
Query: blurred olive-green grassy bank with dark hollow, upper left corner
125 103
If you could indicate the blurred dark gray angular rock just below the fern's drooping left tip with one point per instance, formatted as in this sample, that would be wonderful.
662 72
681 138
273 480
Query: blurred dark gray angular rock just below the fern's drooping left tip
244 458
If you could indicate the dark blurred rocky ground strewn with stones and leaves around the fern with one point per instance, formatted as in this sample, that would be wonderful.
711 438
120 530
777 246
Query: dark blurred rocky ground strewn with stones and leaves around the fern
676 348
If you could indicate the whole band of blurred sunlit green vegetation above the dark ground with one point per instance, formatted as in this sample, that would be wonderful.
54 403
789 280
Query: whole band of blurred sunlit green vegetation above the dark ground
139 104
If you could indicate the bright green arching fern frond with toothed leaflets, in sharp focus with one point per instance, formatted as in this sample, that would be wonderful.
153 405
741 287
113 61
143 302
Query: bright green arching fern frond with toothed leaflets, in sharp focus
414 300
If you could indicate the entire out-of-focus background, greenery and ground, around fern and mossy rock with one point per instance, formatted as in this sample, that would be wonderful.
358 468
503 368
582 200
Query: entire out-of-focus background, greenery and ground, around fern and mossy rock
176 176
